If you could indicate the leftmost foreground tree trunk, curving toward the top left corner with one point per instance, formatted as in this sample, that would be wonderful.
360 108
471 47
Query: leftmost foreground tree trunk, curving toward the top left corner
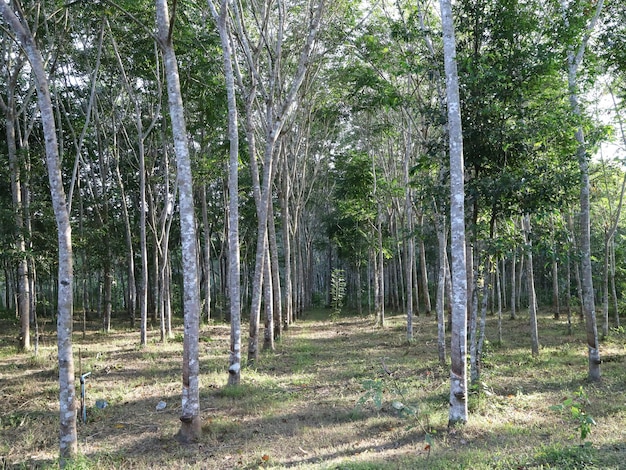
68 447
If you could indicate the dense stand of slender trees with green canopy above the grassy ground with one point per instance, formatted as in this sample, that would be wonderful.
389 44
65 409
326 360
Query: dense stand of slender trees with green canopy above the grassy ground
316 137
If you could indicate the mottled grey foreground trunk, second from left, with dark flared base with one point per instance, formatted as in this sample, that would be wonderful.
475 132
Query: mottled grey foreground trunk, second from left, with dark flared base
190 413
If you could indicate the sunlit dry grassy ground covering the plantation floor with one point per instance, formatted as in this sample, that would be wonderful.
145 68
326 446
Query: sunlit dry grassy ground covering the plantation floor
323 400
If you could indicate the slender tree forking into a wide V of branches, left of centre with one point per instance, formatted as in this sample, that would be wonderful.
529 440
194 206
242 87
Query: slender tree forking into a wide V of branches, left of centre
266 75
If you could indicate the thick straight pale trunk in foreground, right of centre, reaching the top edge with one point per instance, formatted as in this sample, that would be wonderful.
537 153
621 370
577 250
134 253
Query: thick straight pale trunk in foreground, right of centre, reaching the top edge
458 344
